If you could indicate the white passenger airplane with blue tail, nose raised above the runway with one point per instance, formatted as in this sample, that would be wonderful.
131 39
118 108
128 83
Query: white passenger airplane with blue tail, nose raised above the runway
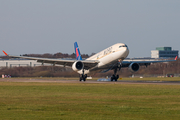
111 58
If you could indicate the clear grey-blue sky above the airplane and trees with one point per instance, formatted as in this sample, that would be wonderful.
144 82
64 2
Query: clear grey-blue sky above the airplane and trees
51 26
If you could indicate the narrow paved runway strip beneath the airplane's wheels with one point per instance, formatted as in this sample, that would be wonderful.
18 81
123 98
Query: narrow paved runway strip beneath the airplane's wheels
89 81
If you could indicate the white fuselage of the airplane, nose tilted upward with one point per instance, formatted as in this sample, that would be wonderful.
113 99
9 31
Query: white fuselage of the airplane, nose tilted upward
109 56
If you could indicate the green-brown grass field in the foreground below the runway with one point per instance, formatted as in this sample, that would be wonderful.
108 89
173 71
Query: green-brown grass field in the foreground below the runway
34 101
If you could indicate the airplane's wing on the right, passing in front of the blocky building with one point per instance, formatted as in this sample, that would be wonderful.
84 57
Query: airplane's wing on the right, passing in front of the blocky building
145 62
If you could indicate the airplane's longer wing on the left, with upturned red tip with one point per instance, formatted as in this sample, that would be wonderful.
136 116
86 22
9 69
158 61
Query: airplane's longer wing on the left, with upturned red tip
64 62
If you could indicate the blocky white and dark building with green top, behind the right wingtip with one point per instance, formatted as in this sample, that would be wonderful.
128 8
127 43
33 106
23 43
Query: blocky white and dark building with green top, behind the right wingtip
164 52
